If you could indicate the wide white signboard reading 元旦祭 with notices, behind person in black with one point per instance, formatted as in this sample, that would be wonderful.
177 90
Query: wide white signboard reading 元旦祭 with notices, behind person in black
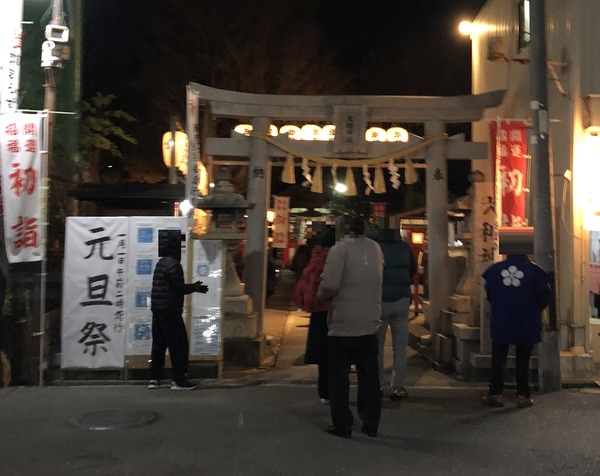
107 281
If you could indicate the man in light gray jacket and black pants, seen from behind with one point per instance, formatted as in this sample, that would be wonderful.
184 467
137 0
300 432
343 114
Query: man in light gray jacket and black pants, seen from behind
352 279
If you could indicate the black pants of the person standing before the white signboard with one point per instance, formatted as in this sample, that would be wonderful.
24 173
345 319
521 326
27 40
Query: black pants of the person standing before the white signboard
168 332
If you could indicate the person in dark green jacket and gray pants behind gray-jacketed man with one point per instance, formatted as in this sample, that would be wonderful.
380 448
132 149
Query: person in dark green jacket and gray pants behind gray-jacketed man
398 271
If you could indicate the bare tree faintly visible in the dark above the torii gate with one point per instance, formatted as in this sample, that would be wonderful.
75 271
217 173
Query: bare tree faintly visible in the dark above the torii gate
268 47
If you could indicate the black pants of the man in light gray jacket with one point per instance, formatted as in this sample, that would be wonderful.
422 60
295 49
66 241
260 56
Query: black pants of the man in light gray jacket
361 351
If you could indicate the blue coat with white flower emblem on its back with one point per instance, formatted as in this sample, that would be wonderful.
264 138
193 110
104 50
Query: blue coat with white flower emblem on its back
518 290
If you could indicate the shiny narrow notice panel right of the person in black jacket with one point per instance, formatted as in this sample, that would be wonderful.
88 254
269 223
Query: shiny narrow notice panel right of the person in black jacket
205 325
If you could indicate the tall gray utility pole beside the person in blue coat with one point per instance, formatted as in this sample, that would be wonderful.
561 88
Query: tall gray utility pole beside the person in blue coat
543 196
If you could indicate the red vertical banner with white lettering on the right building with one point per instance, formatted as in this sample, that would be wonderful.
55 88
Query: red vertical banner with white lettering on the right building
508 141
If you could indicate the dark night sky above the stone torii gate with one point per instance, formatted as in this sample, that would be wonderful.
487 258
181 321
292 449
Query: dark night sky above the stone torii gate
145 52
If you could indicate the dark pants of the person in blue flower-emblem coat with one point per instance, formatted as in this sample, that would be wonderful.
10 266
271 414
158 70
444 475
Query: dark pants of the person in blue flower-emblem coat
523 355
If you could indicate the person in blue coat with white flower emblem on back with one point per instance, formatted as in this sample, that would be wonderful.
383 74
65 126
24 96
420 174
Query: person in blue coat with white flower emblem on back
517 290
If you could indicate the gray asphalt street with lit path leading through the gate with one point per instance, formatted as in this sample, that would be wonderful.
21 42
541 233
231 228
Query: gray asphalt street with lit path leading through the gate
269 421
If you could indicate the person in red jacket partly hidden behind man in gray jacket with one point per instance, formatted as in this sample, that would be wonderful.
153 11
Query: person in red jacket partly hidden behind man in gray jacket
305 297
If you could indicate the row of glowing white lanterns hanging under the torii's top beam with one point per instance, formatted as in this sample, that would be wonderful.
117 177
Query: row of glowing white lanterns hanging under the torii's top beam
327 132
